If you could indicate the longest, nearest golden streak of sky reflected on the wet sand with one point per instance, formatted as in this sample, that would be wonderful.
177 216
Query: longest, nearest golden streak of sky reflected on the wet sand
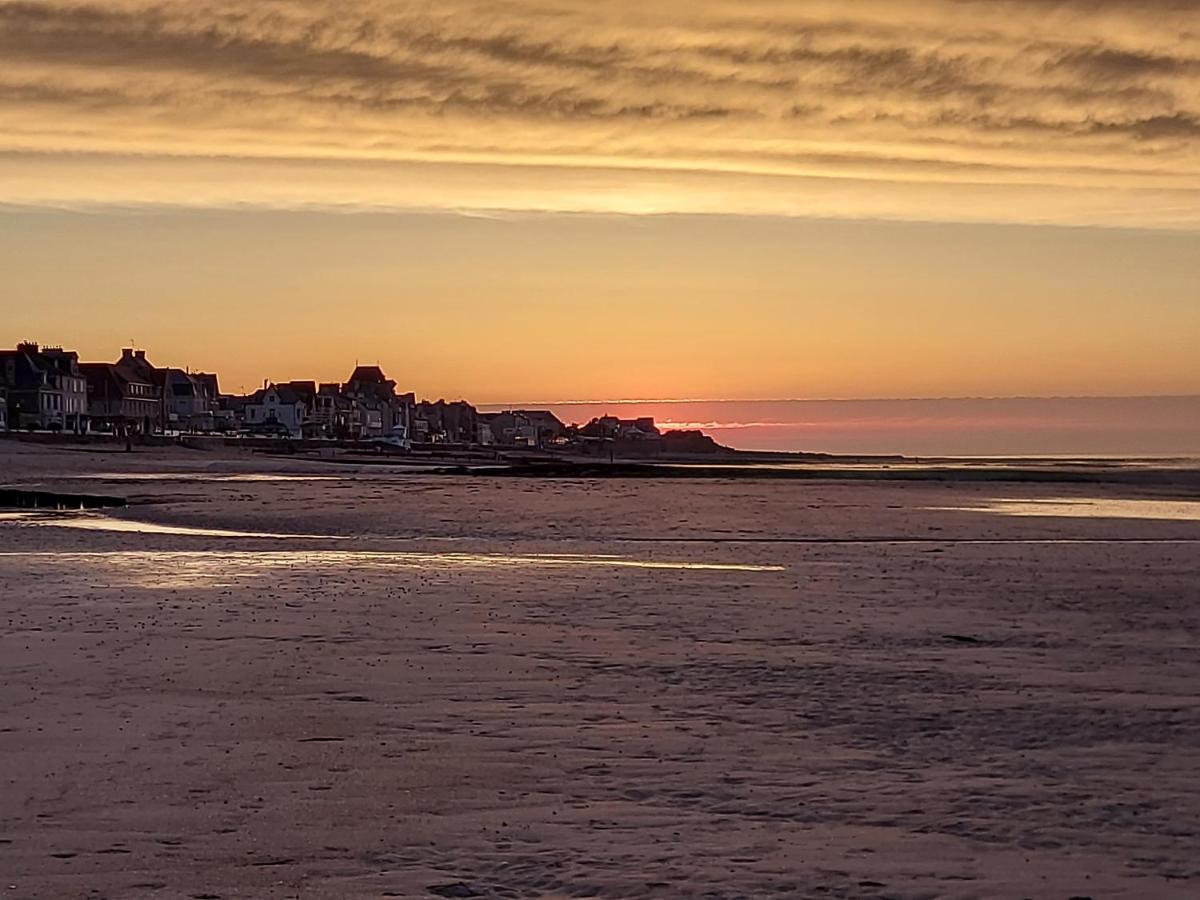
172 569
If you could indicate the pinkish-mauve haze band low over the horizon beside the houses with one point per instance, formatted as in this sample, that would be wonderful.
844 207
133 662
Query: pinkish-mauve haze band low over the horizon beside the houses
1058 427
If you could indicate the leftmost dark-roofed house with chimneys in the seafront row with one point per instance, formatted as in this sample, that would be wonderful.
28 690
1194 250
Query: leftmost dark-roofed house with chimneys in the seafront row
45 388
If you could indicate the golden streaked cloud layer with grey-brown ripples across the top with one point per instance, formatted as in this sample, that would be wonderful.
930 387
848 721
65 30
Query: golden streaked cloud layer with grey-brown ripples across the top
934 104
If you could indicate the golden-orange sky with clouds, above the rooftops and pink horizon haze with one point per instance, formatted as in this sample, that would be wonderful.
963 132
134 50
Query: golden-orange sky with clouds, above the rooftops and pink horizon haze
589 200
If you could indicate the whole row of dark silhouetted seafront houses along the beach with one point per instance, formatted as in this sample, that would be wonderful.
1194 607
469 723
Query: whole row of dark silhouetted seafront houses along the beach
49 388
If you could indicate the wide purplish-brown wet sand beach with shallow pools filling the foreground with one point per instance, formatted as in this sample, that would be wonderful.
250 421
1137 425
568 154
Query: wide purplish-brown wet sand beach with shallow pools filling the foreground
507 688
